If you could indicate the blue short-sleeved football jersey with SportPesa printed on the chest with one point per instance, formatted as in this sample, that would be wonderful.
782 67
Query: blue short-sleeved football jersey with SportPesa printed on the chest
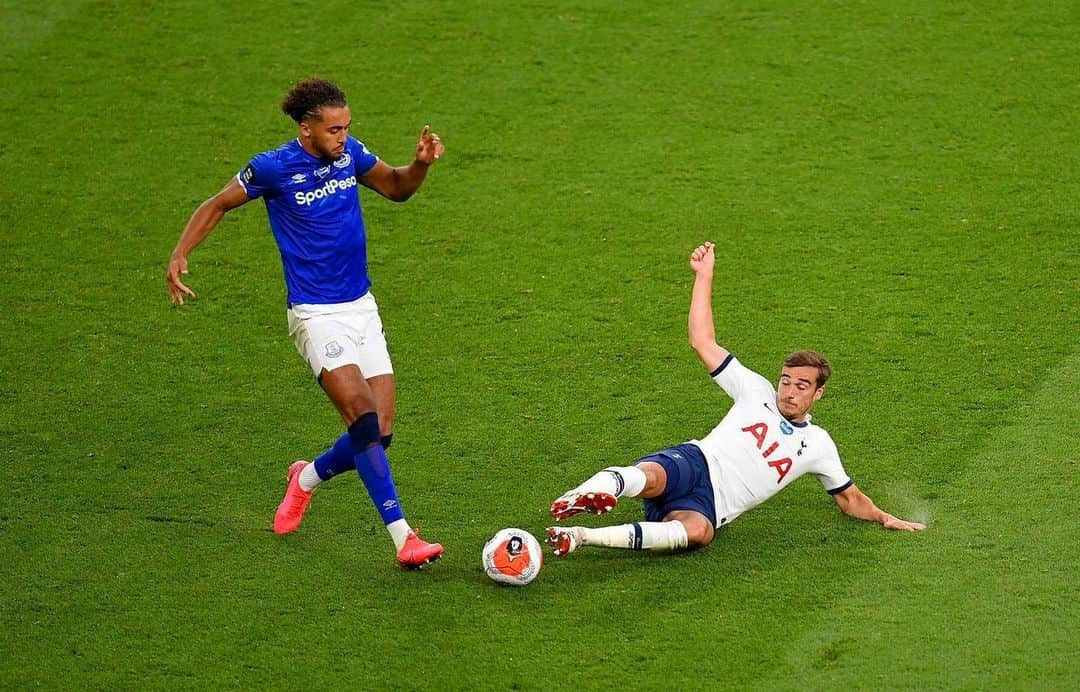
316 218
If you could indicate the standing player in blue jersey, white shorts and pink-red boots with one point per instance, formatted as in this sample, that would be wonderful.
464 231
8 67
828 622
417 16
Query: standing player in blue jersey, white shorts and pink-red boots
310 189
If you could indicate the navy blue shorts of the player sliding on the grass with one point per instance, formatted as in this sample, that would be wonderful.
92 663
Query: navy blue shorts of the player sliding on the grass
690 486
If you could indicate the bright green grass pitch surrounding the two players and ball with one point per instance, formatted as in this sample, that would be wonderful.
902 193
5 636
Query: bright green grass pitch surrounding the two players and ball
893 184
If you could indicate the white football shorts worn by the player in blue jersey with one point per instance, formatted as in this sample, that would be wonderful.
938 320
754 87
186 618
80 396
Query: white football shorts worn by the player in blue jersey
341 334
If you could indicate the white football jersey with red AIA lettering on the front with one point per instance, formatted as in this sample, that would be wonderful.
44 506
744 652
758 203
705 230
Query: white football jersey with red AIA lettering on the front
754 453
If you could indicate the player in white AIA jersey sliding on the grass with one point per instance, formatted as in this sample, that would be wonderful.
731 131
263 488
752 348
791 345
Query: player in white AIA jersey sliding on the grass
764 443
